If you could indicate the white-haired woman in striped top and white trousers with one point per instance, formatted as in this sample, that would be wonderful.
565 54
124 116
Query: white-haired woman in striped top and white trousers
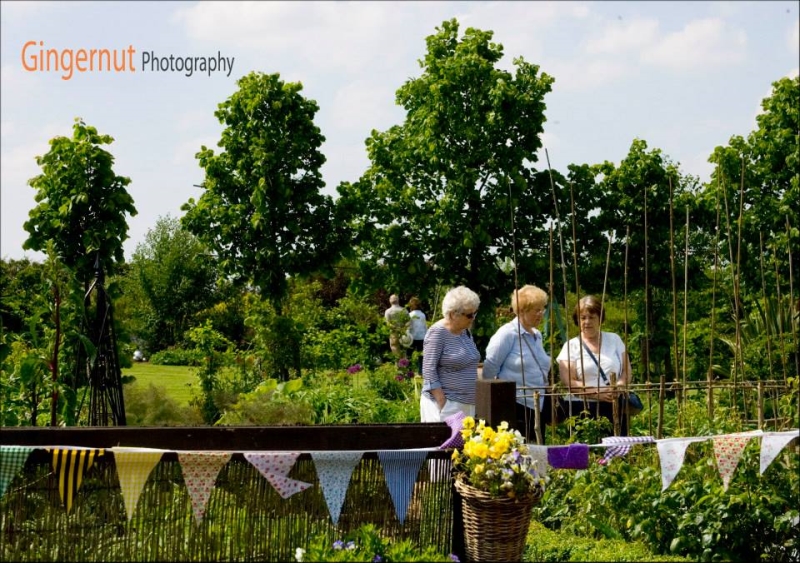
450 359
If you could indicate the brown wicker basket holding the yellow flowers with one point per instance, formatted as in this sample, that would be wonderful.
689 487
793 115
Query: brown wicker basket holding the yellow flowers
495 528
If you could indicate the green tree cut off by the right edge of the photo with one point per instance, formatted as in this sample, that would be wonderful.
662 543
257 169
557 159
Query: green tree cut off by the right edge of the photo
759 179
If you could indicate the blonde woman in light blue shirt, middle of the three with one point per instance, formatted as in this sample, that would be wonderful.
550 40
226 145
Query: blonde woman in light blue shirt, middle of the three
516 353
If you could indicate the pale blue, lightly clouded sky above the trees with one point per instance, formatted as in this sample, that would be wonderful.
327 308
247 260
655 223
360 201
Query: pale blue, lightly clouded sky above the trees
683 76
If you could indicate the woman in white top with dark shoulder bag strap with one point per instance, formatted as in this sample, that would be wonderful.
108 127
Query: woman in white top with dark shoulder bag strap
598 386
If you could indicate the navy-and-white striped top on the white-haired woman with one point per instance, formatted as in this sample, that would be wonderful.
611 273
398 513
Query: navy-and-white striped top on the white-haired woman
450 362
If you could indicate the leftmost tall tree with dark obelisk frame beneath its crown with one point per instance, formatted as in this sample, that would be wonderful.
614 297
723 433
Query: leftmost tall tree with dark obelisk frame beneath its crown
80 218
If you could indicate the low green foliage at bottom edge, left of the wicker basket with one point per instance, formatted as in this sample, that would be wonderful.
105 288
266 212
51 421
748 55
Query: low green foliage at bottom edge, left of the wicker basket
367 544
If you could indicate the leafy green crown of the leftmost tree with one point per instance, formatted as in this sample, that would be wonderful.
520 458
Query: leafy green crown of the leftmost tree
81 203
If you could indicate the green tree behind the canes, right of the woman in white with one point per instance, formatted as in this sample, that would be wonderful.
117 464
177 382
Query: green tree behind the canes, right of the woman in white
645 198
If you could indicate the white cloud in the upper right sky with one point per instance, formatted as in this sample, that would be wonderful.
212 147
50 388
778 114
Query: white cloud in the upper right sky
701 44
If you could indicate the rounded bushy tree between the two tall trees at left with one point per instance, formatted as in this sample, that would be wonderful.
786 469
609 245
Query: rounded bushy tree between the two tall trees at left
170 280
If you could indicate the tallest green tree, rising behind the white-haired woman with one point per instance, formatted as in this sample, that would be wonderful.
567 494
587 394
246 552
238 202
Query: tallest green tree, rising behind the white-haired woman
435 205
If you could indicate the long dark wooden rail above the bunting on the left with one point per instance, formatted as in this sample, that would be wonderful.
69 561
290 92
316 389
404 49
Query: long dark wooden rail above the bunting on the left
372 437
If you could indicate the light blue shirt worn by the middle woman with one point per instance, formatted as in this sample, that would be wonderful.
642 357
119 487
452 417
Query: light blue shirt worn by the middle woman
507 355
